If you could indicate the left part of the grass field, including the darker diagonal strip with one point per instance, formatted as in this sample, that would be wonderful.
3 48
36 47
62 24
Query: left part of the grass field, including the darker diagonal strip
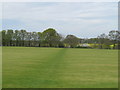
31 71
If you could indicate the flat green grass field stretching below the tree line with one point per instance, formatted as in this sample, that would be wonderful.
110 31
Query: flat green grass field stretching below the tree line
30 67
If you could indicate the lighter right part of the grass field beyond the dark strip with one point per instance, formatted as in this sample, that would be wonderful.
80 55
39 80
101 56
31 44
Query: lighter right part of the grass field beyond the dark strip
90 68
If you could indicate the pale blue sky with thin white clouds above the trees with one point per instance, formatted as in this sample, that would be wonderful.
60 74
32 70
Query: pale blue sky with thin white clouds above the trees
83 19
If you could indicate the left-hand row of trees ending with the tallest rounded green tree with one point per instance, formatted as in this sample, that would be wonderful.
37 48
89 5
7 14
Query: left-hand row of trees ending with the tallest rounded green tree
47 38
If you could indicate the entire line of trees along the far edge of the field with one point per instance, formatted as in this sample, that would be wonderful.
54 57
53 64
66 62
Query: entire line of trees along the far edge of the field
51 38
